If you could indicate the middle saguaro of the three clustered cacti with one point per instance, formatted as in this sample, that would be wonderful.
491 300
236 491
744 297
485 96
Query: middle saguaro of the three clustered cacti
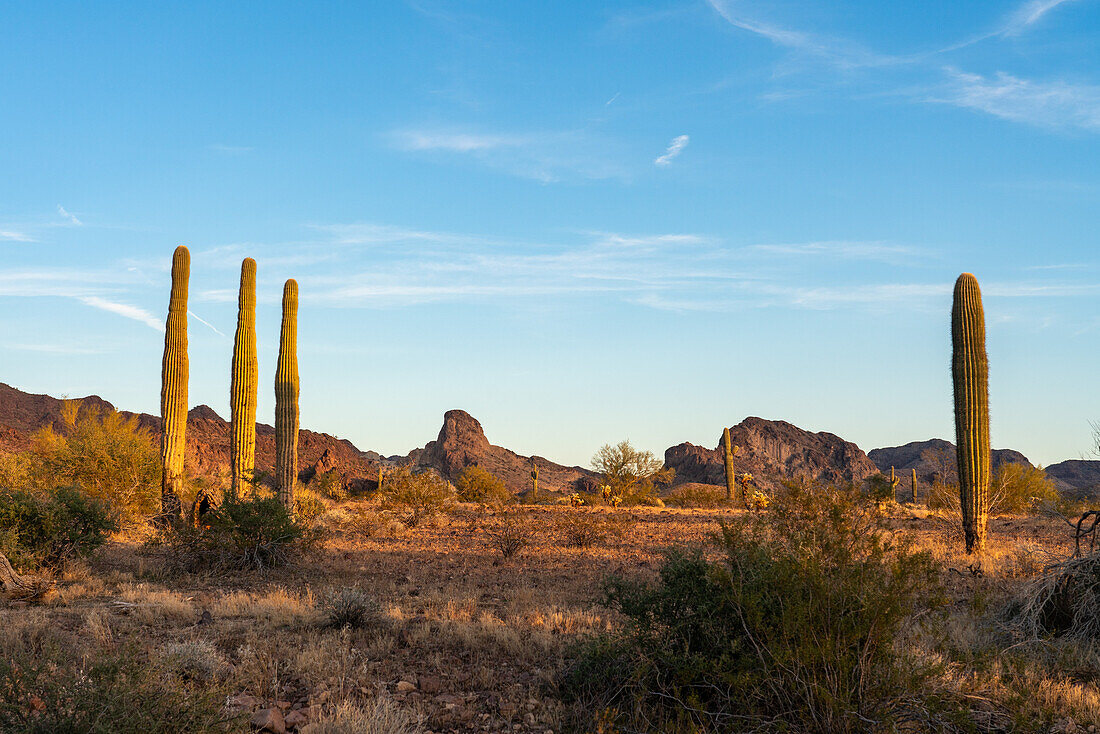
243 398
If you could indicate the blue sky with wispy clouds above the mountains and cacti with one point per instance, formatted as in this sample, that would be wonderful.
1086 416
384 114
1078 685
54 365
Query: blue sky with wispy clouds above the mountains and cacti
580 222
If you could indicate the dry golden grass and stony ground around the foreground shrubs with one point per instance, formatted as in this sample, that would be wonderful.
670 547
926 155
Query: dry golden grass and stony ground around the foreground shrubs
470 642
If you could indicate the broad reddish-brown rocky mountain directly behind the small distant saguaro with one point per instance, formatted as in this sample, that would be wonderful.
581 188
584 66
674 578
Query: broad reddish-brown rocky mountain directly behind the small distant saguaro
773 451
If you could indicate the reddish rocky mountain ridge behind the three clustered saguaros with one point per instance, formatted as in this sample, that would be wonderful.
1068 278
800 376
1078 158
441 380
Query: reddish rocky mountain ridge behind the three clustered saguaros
21 414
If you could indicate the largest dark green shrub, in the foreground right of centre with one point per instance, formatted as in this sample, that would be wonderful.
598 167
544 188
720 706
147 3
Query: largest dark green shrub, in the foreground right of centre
793 630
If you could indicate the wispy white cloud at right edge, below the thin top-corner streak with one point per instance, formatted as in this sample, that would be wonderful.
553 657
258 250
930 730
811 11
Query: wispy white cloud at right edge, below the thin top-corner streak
1043 104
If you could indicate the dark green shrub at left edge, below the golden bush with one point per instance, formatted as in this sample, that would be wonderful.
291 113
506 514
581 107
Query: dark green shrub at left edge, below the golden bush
48 530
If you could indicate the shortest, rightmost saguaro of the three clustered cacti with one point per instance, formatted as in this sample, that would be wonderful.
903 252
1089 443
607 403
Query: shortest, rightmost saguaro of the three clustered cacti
287 398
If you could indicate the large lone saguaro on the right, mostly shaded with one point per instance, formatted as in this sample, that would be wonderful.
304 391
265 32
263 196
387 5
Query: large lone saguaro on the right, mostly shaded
971 376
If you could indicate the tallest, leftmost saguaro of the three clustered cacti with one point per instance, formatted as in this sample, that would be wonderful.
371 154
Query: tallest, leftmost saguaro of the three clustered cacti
174 388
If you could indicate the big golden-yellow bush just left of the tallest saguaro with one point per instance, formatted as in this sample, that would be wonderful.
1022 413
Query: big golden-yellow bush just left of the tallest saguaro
105 454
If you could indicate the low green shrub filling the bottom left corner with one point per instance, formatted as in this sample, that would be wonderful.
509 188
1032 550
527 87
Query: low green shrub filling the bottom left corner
47 689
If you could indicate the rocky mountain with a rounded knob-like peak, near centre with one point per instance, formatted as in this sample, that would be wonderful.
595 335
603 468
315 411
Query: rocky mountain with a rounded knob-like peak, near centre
463 444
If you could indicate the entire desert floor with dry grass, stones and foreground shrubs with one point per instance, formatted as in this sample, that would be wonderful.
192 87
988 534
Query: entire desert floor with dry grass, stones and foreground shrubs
435 628
